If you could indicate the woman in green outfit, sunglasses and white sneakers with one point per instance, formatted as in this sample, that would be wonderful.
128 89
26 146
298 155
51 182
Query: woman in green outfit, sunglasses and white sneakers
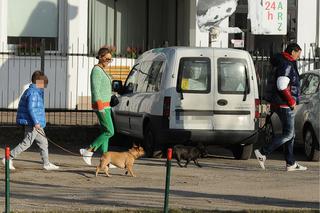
101 92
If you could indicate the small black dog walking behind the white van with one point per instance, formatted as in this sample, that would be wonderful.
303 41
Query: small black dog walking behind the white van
188 153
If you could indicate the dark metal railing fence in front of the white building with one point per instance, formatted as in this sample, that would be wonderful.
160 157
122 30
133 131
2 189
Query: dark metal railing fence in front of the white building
67 96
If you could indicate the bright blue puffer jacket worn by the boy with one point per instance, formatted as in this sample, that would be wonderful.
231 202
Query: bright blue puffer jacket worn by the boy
31 109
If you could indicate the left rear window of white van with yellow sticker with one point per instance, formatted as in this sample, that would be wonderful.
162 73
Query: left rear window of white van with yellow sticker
194 75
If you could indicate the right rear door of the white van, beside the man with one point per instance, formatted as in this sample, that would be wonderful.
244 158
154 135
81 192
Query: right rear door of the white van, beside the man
234 106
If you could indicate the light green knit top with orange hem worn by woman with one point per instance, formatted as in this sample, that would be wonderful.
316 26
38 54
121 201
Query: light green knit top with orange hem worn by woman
101 90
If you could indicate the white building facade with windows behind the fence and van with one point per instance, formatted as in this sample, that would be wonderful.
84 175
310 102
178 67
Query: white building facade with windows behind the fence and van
73 31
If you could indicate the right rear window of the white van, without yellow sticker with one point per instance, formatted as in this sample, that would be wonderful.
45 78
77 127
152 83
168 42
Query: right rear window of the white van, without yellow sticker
233 76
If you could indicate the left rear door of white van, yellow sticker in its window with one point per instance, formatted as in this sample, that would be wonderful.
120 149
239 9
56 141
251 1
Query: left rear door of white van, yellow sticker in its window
193 102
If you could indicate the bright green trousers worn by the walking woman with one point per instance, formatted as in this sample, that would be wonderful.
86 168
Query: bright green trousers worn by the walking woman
108 131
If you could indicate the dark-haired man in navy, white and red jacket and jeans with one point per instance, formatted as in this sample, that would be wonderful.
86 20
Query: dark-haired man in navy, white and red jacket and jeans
285 91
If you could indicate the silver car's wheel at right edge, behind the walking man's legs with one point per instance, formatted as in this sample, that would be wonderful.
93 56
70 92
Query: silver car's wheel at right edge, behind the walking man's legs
310 143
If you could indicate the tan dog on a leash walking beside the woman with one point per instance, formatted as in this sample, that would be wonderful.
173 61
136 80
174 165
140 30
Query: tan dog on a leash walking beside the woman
123 160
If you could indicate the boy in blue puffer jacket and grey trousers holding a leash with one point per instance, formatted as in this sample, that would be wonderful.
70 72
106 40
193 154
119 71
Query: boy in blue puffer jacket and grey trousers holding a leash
31 115
